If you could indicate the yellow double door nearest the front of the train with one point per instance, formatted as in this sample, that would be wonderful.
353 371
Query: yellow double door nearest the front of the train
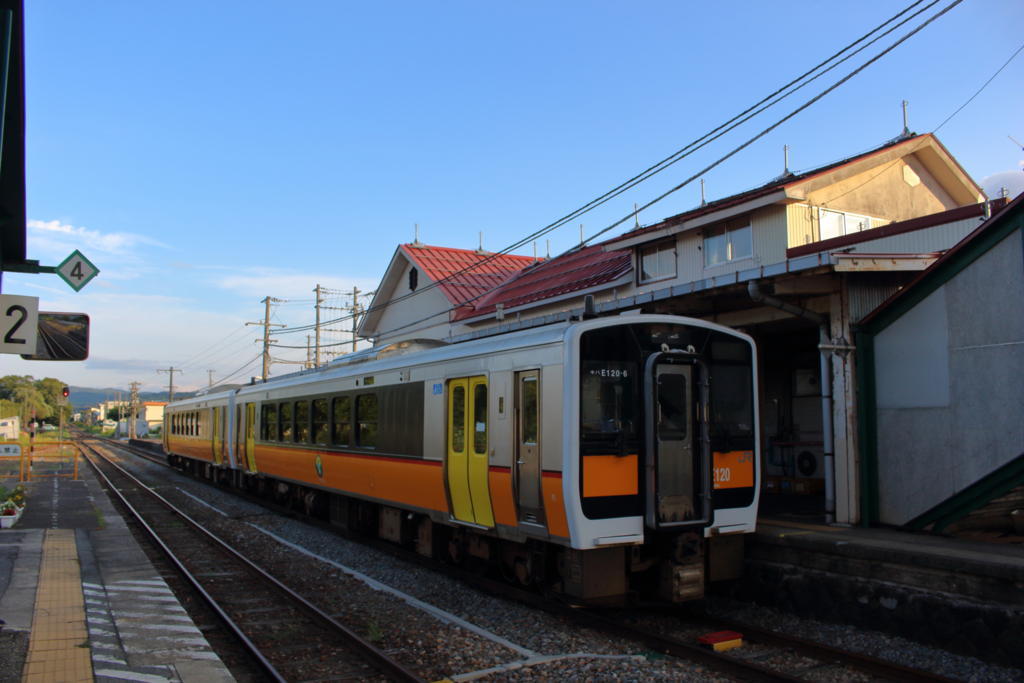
468 461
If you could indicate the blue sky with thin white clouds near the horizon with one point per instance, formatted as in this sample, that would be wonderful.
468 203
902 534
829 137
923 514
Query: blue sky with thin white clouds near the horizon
207 155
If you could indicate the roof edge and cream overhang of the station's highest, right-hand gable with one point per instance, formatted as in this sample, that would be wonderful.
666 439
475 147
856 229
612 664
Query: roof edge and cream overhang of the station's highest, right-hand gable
792 188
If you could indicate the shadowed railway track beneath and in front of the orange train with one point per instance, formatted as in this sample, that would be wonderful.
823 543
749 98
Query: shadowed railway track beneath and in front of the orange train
764 657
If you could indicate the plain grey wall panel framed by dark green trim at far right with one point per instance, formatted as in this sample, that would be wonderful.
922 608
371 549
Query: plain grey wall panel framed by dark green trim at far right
949 377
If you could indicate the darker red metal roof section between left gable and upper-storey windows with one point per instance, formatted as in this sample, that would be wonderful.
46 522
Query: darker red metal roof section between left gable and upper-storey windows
577 271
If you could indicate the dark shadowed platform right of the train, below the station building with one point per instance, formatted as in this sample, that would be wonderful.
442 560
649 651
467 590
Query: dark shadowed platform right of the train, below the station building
963 595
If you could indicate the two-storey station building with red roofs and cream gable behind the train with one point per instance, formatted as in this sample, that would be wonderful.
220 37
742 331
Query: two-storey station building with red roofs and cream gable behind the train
798 264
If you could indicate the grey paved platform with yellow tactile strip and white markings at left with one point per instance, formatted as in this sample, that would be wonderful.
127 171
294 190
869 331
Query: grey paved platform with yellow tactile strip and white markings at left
82 603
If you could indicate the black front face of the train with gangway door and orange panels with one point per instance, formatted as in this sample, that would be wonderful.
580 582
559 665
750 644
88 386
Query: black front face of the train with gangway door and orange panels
667 370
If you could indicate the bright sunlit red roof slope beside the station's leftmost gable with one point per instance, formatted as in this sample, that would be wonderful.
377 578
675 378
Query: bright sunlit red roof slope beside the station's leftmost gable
464 275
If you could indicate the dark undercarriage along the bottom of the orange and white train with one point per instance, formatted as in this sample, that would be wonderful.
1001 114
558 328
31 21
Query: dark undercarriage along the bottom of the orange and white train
672 568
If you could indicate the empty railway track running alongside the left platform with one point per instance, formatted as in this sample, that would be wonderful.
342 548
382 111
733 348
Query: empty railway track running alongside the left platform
289 637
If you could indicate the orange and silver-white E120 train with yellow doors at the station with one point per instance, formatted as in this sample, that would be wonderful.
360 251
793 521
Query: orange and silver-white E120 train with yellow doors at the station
606 458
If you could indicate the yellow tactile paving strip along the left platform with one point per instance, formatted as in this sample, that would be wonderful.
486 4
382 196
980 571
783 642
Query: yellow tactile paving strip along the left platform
59 648
